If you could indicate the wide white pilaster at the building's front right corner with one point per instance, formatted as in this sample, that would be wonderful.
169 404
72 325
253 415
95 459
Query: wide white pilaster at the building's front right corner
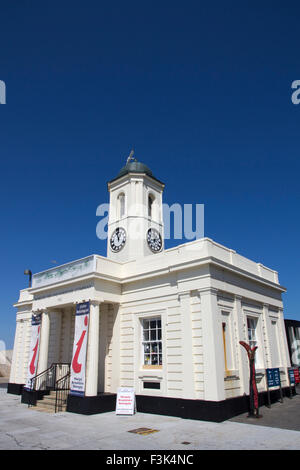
213 350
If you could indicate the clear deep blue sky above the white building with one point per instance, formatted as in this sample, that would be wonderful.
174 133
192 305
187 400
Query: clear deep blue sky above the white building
201 90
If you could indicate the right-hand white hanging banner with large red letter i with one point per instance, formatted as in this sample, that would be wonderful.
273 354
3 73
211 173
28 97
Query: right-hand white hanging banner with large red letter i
77 385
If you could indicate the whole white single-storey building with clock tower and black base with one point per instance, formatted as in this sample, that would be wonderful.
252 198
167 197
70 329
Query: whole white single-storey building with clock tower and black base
166 322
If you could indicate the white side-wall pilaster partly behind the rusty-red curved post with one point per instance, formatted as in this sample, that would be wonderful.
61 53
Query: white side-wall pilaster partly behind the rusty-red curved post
243 365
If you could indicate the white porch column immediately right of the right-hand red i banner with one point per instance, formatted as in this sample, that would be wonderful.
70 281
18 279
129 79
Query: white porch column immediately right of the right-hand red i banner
91 379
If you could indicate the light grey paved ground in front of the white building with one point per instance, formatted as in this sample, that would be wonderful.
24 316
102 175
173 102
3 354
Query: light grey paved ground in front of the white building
25 428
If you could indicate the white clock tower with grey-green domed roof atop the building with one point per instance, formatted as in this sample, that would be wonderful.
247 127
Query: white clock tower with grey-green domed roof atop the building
135 225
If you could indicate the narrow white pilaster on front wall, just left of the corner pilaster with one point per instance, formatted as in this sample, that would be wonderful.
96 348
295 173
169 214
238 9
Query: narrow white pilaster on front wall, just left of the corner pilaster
187 345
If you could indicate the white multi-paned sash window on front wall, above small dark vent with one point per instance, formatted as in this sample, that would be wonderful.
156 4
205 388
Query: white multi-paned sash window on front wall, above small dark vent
152 343
